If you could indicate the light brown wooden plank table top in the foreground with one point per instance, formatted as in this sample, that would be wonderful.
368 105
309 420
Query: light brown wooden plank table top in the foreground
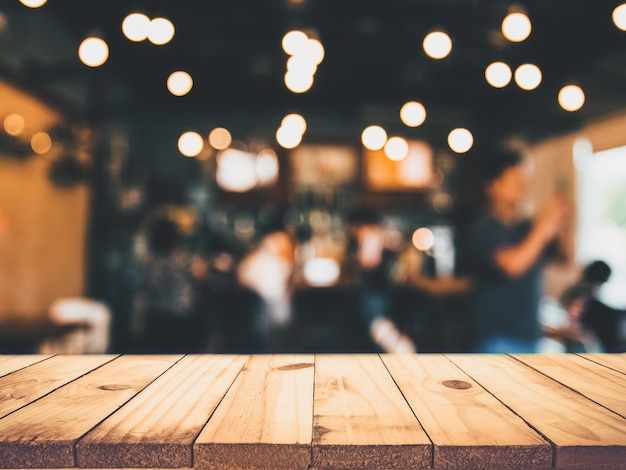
310 411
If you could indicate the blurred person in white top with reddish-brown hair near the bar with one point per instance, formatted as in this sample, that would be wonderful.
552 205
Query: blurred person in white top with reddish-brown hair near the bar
268 271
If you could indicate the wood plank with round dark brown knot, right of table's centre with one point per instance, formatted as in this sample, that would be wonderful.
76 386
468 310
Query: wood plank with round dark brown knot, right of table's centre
469 428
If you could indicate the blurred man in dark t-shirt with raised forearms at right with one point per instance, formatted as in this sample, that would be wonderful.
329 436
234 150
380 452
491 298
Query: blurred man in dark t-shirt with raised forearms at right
508 252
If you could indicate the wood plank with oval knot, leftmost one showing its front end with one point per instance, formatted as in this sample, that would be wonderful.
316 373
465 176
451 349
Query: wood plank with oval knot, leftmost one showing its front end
43 434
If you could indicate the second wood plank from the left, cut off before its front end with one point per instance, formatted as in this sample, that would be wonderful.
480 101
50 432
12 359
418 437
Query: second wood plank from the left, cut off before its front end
28 384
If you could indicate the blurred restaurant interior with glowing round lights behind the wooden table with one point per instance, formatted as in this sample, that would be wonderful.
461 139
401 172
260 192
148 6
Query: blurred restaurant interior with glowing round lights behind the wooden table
235 118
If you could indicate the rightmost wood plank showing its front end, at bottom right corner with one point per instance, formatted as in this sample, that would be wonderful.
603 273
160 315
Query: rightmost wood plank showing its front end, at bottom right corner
583 434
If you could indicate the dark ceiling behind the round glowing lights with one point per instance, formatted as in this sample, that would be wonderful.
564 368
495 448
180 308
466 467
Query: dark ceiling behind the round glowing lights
374 62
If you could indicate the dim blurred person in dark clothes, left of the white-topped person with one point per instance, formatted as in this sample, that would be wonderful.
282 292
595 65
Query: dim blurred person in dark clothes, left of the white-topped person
167 297
